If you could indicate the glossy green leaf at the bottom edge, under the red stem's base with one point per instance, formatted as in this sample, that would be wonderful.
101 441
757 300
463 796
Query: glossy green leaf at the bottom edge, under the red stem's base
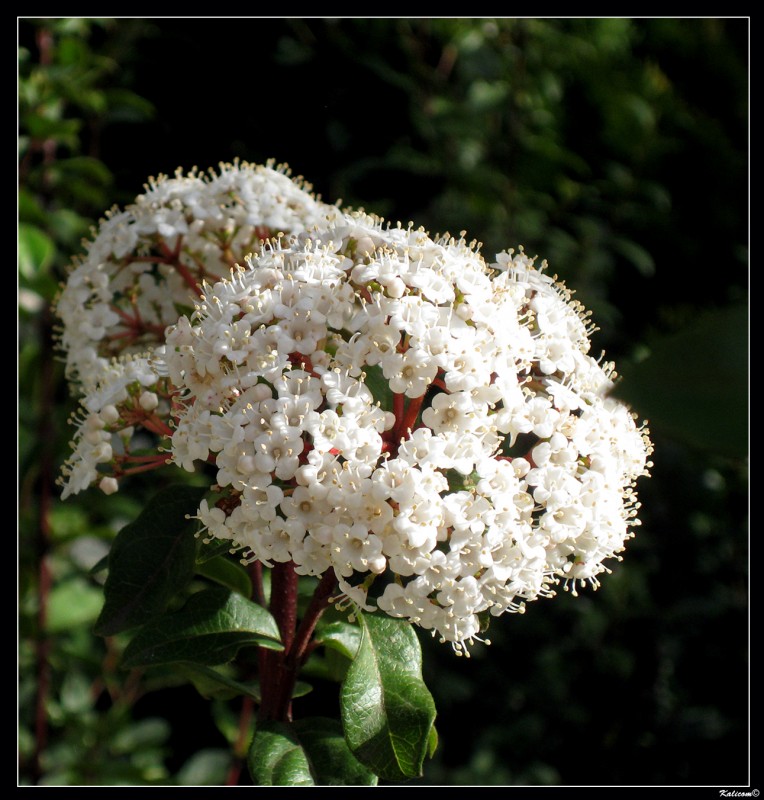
309 752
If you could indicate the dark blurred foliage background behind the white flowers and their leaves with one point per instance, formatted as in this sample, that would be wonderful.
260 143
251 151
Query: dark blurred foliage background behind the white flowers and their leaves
617 149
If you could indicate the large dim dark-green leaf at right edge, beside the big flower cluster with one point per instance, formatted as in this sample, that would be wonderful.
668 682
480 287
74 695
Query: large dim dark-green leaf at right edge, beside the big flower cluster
694 384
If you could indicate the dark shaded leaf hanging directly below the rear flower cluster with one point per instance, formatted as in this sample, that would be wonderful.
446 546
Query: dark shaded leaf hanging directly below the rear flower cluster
150 561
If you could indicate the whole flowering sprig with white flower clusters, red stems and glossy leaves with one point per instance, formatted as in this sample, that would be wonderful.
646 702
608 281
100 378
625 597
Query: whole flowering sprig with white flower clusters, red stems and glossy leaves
422 430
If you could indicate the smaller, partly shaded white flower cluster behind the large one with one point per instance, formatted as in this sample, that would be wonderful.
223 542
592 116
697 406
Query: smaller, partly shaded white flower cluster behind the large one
141 271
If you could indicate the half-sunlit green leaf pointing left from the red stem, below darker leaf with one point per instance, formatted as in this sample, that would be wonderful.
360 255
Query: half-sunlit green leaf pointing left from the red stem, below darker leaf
208 630
